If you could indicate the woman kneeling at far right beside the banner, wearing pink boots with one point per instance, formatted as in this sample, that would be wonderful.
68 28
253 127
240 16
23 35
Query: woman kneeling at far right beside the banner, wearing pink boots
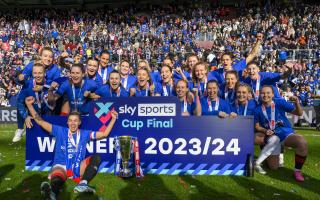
270 119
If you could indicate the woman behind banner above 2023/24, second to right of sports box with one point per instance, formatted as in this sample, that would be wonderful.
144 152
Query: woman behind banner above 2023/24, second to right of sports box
211 104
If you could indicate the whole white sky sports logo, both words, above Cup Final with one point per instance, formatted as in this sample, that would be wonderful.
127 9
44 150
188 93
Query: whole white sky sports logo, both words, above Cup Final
150 109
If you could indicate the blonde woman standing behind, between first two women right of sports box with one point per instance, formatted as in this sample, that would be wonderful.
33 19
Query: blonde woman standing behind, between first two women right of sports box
199 78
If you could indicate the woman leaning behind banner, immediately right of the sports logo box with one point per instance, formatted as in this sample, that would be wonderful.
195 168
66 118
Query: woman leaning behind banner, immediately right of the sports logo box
187 108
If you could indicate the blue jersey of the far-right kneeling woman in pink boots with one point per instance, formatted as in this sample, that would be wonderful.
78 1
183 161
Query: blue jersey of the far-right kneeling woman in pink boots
283 127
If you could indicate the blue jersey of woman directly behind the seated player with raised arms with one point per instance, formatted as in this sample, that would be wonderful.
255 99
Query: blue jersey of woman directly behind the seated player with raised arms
75 94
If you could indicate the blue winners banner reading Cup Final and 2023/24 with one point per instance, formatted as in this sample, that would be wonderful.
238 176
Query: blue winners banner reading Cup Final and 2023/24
169 143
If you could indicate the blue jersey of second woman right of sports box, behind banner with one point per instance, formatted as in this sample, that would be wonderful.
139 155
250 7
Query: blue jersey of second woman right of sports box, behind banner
213 109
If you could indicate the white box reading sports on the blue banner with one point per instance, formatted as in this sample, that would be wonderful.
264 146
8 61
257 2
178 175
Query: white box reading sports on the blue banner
157 110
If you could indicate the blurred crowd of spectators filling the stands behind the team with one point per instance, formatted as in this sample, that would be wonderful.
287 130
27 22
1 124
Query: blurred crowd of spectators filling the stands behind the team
155 32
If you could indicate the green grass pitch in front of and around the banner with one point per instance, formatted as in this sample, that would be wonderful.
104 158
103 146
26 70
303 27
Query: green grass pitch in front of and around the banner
16 183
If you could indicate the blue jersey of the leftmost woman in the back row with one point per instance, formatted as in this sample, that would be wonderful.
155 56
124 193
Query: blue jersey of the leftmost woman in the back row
53 72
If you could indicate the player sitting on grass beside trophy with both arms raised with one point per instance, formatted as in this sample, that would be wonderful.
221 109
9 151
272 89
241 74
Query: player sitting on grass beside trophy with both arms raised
70 150
